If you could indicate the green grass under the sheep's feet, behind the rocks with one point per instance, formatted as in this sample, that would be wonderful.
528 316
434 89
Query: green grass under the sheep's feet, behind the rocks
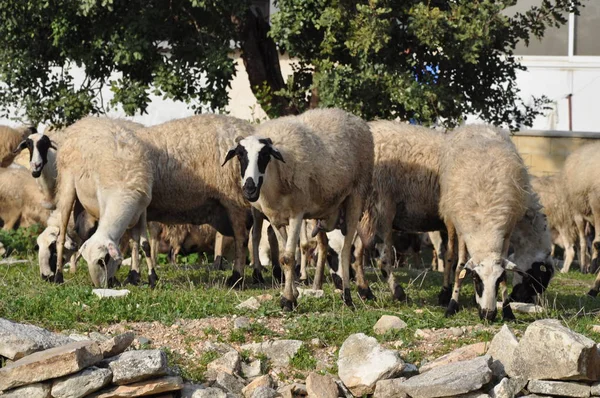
191 290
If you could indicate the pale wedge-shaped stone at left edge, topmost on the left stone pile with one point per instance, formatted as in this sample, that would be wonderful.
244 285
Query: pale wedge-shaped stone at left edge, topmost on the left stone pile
18 340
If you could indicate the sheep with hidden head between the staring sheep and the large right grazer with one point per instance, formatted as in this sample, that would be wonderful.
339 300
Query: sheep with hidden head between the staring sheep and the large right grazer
405 194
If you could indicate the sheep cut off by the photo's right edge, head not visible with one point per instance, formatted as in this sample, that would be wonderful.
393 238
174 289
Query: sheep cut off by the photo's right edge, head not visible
583 198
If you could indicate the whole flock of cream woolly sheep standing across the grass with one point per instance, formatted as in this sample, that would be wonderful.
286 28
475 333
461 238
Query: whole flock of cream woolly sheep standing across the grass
325 177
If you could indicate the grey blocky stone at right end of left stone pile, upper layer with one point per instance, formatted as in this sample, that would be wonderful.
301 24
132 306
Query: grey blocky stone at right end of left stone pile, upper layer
134 366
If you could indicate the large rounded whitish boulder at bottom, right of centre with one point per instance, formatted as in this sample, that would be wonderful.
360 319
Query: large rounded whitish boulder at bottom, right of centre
363 362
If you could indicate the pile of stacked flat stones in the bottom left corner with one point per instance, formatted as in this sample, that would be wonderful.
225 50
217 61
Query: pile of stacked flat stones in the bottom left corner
41 364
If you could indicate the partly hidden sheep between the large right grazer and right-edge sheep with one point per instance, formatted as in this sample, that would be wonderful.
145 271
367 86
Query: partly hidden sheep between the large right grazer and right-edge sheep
559 215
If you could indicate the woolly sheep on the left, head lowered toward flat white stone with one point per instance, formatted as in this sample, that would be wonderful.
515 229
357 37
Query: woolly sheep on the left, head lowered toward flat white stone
117 193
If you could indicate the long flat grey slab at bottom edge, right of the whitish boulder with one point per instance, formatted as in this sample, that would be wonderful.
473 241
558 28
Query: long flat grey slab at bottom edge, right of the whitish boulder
450 380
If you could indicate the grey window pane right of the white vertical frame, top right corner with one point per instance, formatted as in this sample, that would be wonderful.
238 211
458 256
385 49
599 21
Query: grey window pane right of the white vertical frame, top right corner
587 29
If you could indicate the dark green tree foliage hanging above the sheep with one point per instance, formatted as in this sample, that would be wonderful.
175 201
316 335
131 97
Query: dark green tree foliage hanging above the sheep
371 57
